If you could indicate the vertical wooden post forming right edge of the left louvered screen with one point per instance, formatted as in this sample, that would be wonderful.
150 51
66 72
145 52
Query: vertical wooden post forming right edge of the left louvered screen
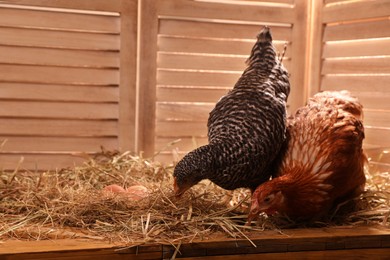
128 75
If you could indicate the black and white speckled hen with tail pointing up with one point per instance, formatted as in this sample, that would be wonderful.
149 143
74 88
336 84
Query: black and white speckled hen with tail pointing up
246 128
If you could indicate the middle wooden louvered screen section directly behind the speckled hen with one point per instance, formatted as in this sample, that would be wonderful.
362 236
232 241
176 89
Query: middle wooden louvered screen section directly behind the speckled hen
193 52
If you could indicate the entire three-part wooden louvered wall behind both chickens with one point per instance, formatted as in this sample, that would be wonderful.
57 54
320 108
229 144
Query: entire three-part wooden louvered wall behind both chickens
70 80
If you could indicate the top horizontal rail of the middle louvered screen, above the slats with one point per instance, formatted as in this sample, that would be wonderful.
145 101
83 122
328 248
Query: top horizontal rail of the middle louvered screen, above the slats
205 10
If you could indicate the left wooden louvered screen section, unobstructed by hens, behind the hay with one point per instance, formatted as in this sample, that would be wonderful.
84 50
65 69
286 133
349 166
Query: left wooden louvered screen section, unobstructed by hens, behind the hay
67 80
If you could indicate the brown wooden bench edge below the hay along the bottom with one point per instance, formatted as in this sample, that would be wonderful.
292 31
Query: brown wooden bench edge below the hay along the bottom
346 242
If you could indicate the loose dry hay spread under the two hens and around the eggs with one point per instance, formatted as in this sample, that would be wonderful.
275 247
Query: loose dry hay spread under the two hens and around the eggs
70 203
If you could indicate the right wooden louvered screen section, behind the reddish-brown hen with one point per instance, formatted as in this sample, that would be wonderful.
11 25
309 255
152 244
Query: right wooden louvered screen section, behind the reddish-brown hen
352 52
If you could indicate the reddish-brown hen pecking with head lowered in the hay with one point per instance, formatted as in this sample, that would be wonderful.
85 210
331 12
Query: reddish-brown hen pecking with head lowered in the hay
323 164
